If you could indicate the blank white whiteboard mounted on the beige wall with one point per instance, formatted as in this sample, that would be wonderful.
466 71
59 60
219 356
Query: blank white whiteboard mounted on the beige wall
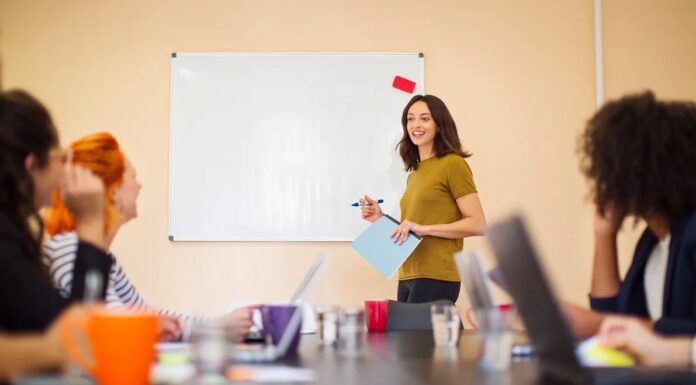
276 147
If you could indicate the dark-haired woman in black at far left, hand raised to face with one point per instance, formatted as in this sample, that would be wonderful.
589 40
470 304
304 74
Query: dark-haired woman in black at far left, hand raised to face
32 164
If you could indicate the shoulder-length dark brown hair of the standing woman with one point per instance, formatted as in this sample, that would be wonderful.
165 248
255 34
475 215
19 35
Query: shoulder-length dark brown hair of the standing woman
446 137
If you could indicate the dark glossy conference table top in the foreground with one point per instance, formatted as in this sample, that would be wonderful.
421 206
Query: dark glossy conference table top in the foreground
400 357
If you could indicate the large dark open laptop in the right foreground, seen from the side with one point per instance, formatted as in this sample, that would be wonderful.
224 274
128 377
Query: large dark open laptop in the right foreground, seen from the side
545 324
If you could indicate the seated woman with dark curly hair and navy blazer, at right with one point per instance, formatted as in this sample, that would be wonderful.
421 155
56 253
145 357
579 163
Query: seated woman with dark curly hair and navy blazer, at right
640 155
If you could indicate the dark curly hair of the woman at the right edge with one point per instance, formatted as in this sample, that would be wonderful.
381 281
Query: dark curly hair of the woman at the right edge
640 156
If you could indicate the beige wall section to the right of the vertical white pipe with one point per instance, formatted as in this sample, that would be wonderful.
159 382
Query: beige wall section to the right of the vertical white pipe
649 44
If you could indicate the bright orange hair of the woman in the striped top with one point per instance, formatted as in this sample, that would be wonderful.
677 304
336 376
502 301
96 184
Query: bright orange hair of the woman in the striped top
101 154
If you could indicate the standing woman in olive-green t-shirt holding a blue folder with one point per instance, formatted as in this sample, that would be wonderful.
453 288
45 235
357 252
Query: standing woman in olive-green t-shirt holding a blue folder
440 202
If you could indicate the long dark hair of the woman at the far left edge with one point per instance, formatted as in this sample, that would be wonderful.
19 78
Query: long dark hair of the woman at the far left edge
25 128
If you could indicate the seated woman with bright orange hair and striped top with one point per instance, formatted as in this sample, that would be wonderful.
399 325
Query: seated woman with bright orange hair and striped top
101 154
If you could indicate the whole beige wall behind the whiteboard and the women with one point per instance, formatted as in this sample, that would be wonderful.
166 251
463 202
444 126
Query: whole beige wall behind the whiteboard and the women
517 75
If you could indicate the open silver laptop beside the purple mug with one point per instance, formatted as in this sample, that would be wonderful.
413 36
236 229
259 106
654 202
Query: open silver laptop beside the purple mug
271 352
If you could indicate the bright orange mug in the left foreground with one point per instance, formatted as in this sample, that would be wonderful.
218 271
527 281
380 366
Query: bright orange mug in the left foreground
116 347
